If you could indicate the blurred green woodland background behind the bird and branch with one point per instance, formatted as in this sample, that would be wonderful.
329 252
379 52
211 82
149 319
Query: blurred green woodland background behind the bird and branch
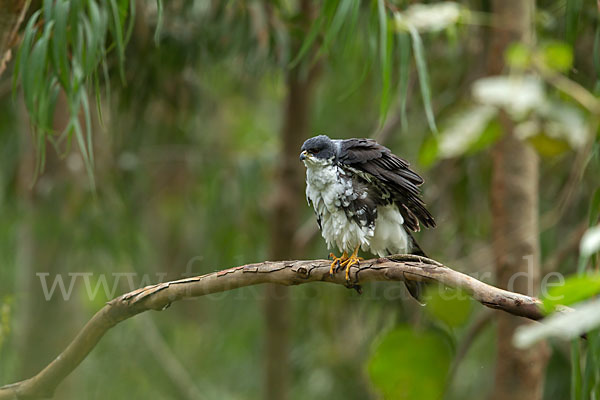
188 153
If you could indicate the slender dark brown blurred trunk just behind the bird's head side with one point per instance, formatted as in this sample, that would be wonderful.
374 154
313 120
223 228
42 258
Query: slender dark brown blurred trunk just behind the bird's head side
288 201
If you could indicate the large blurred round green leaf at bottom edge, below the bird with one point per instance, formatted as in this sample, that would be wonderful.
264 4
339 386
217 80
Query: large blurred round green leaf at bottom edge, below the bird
410 365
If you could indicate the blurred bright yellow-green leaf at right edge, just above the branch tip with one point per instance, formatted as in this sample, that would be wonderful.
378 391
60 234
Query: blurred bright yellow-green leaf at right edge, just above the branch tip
575 289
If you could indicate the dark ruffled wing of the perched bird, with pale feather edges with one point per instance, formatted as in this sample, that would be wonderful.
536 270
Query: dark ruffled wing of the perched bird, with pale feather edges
394 173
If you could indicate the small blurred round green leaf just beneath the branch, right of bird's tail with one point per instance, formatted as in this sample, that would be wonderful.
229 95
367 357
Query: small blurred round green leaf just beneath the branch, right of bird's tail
448 305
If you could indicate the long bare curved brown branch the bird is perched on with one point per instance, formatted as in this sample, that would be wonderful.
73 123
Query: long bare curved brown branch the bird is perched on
160 296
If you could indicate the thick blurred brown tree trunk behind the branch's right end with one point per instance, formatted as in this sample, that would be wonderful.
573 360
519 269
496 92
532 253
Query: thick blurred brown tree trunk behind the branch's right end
519 373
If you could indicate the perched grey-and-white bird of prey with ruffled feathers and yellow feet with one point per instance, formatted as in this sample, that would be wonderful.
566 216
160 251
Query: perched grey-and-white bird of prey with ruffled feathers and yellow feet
365 198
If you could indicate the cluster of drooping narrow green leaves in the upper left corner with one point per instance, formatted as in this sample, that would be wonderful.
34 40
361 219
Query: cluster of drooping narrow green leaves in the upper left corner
64 45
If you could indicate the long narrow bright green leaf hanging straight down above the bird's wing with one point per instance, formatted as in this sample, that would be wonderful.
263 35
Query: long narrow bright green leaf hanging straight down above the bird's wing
385 58
